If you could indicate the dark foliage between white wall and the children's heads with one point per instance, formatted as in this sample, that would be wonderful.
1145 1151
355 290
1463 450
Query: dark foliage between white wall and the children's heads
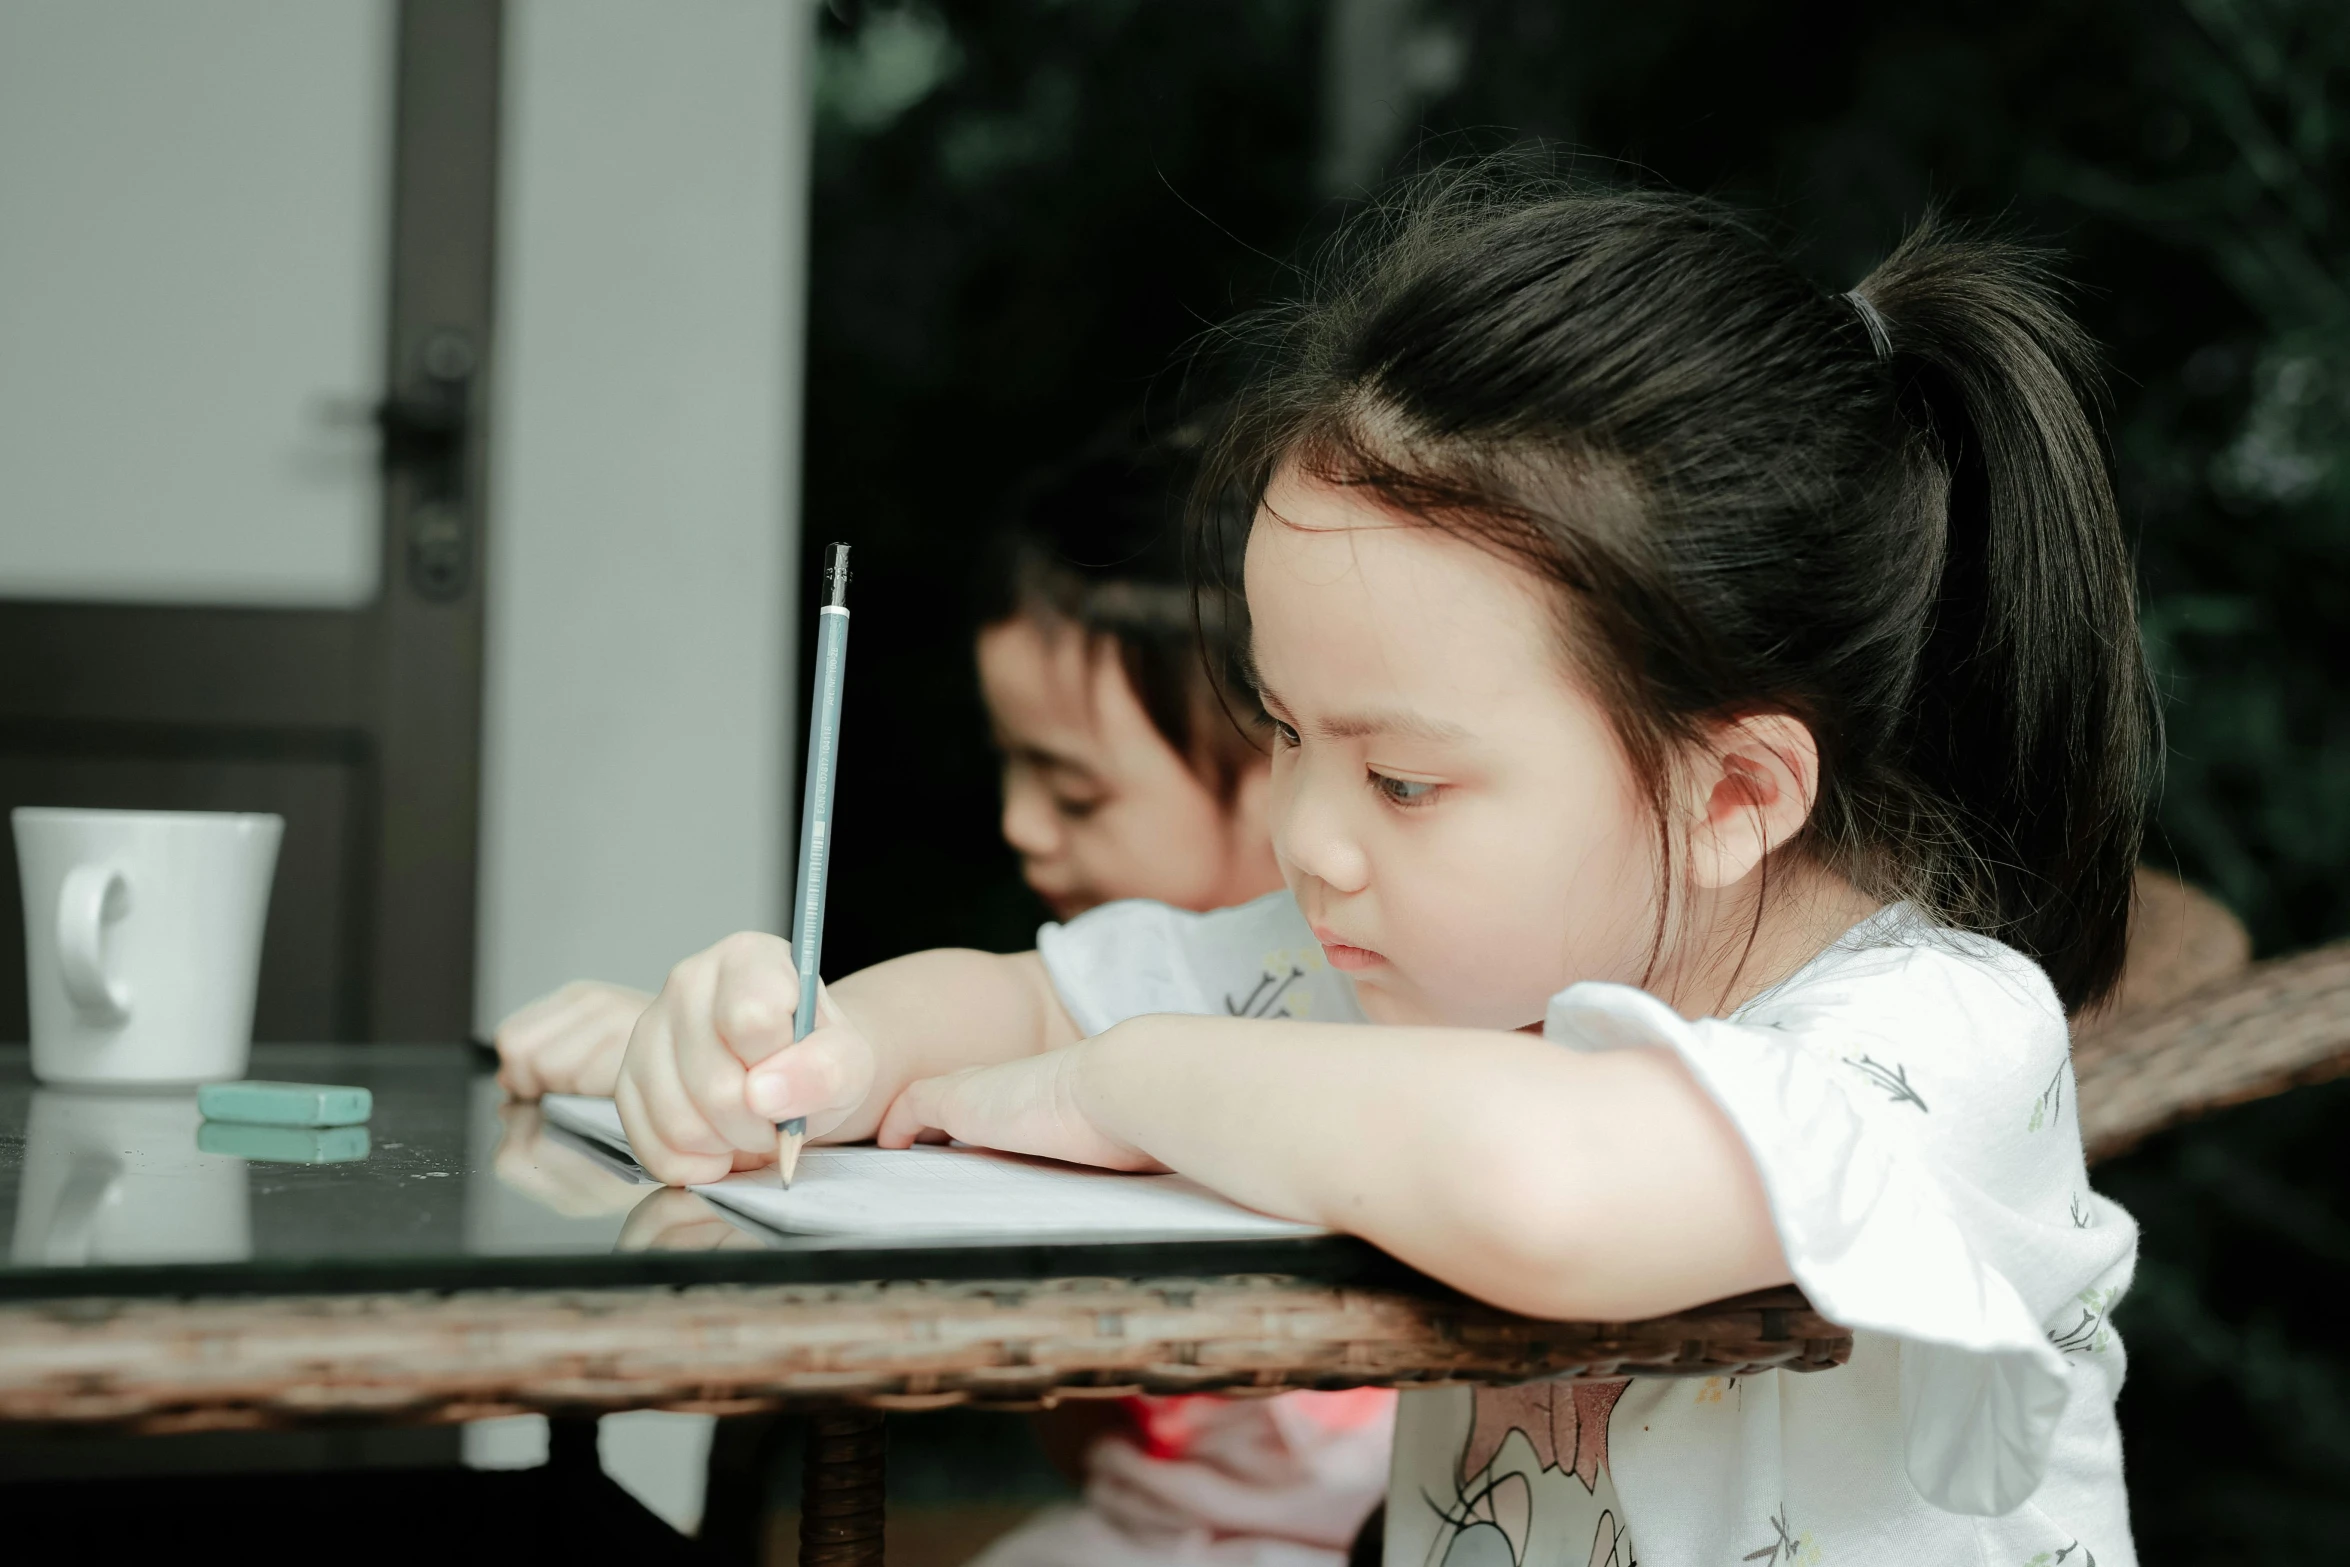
1005 264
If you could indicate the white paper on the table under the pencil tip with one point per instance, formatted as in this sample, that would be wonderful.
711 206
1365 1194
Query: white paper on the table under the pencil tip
955 1195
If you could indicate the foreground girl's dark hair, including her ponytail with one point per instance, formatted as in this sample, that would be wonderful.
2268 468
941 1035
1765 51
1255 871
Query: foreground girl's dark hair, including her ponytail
1884 513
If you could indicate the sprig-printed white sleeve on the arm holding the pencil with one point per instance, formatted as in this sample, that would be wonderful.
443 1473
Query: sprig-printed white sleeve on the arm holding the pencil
1139 957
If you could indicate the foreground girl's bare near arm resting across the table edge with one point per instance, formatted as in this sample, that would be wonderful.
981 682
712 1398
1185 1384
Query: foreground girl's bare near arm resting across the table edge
1529 1176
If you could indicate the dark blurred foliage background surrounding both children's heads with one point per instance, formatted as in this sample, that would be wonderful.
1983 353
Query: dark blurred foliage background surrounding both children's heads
1028 208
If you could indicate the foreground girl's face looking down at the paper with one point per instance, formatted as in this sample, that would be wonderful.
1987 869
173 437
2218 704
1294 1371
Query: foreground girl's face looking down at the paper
1449 807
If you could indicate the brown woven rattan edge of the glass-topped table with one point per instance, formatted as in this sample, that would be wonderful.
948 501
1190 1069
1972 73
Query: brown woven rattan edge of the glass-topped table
229 1364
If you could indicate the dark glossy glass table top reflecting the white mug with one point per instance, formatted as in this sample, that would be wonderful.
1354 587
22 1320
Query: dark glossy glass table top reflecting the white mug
448 1185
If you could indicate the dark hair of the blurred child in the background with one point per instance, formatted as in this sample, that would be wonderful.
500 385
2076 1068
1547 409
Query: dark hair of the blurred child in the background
1099 544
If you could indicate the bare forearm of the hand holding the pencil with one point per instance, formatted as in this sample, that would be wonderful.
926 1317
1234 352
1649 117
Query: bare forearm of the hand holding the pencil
941 1011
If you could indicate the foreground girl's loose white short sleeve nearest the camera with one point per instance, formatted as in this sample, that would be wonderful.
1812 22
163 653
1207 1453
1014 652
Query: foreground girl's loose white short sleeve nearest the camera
1891 1112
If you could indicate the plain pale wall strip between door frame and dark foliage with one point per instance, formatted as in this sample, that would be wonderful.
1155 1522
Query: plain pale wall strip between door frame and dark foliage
645 450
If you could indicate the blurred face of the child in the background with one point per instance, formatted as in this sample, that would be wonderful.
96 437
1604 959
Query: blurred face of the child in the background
1096 802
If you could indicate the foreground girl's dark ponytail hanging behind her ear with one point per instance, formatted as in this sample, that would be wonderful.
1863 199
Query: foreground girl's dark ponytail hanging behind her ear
2034 722
